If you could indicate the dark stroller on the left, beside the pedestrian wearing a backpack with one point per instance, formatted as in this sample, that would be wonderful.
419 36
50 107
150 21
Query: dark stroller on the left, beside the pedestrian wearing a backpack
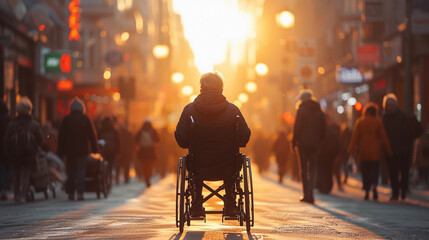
40 180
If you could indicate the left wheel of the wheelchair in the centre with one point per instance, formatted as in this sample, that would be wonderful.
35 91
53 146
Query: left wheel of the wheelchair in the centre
180 194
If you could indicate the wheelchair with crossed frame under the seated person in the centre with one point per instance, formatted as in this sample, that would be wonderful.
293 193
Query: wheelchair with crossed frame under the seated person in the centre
243 190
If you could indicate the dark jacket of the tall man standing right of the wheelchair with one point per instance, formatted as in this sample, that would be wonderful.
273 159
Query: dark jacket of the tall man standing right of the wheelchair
310 126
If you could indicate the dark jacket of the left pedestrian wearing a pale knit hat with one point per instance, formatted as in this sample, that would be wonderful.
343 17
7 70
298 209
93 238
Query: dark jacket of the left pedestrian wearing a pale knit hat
77 136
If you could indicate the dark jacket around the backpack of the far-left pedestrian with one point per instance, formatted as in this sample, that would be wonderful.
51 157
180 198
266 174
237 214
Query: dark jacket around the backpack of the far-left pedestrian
30 125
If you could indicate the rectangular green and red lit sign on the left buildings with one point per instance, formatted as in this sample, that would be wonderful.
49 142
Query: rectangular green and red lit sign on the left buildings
58 62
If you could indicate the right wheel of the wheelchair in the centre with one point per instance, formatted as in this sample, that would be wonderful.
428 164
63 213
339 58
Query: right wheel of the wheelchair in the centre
248 194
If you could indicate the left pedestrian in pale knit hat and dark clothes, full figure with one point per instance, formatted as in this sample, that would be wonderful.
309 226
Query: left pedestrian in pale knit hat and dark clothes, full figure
76 139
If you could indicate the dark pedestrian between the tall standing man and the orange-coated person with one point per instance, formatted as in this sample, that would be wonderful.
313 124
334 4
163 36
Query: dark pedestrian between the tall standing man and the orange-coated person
326 156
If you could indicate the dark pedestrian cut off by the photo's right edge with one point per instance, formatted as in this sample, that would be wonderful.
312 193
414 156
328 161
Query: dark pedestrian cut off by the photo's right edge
421 158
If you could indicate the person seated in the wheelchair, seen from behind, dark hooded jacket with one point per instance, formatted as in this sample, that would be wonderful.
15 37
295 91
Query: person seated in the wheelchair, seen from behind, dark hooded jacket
213 130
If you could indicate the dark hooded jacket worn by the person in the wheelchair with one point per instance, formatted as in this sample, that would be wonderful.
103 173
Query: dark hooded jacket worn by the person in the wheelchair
213 138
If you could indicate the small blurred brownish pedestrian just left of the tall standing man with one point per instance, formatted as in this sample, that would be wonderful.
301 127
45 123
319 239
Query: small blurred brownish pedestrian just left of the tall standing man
281 148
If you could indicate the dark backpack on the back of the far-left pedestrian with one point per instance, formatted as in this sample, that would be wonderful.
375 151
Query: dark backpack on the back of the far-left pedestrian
22 142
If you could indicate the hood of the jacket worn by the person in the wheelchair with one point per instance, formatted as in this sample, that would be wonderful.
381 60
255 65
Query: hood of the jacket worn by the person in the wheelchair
210 103
